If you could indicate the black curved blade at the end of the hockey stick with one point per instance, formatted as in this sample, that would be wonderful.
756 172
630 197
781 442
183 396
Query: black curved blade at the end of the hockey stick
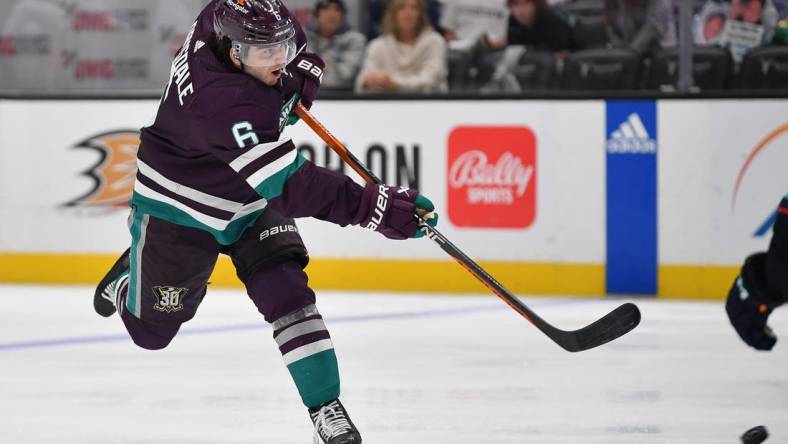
613 325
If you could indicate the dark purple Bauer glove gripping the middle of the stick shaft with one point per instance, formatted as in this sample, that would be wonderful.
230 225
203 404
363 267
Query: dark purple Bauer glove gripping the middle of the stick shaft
392 211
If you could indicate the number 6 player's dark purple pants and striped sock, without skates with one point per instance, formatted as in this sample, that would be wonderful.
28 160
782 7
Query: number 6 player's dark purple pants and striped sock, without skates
170 267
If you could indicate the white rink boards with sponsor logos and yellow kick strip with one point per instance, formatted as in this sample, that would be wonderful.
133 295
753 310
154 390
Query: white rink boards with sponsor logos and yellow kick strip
565 197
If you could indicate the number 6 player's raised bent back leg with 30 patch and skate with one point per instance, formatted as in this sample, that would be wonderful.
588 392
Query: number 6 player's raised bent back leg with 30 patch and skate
160 281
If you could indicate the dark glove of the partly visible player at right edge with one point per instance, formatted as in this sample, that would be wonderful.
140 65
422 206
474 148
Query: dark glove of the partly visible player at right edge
750 302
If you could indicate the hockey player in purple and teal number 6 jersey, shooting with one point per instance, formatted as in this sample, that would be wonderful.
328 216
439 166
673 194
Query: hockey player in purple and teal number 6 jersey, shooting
214 177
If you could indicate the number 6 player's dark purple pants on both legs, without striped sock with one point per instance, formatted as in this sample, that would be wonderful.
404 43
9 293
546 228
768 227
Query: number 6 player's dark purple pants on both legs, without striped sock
171 264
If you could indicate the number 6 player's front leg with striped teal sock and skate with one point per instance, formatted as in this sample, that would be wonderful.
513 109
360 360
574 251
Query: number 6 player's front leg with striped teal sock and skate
270 261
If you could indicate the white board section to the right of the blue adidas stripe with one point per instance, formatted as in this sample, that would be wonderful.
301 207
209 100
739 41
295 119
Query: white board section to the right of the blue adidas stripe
705 216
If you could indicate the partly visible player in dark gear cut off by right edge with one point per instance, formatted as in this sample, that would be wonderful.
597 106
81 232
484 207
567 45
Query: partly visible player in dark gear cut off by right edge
761 287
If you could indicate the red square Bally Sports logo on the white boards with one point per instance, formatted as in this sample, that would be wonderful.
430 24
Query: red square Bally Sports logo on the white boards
492 175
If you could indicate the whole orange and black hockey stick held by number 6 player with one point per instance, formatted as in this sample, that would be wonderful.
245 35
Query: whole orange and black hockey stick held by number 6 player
613 325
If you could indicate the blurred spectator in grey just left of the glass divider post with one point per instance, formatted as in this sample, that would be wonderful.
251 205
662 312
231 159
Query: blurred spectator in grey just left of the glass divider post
643 25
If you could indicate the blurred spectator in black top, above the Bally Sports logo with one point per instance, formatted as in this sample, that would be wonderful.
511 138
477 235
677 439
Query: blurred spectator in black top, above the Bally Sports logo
535 25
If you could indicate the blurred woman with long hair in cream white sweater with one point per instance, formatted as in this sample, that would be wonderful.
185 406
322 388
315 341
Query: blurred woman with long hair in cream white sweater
408 57
